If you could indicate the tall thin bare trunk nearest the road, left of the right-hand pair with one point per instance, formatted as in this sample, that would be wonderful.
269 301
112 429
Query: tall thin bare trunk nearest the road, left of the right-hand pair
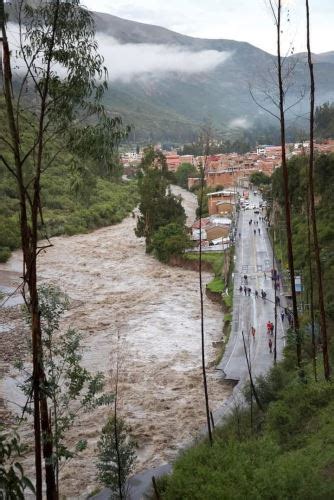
286 187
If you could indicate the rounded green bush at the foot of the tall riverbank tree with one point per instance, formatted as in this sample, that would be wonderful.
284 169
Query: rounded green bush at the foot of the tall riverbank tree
170 240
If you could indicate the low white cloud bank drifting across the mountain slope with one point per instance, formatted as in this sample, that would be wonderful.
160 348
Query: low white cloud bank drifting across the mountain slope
130 60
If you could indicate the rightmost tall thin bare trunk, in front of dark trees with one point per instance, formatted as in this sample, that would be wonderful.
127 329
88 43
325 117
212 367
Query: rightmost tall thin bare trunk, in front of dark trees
312 206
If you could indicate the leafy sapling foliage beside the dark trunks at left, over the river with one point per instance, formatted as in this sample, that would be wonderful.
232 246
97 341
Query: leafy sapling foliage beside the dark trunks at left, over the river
68 385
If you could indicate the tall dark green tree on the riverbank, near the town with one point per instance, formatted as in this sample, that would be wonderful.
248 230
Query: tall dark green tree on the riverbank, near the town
158 206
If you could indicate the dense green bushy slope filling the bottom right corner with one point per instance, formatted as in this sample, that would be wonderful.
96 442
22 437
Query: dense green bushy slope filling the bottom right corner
284 452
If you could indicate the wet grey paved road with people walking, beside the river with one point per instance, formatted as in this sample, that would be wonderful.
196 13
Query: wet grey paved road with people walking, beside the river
253 258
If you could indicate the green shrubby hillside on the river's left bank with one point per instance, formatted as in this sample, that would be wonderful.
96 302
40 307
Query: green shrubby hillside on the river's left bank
78 195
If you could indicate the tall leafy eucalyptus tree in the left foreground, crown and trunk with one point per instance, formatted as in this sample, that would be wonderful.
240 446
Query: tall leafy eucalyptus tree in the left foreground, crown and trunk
60 83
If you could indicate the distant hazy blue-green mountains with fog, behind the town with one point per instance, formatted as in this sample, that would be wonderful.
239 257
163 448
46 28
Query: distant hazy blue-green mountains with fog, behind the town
167 84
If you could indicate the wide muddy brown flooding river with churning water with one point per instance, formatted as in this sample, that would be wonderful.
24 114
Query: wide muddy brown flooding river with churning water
118 291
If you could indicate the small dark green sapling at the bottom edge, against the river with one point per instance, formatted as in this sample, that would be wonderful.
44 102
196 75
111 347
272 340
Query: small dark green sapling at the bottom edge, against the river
116 457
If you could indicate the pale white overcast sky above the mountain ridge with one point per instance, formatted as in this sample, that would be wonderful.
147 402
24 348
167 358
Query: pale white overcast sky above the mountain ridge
245 20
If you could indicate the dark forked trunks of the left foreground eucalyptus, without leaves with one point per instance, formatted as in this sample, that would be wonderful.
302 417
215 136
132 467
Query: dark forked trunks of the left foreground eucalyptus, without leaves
29 249
